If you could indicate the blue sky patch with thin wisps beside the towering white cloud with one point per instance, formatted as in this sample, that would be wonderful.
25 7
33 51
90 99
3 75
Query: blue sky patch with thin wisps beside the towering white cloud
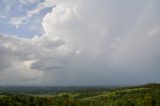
15 9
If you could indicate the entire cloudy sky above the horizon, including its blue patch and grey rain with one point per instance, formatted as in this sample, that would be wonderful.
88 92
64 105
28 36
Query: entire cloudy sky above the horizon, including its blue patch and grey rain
79 42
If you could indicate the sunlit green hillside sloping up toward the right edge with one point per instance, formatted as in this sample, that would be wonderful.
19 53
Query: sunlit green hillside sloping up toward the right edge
147 95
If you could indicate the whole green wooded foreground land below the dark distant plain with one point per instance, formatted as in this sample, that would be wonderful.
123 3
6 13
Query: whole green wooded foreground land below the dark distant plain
146 95
